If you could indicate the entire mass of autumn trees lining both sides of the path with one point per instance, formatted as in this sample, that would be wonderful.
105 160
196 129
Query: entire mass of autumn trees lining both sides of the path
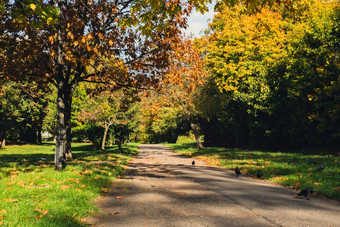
266 73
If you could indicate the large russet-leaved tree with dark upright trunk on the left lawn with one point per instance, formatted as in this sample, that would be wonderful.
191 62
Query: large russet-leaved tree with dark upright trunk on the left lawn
72 49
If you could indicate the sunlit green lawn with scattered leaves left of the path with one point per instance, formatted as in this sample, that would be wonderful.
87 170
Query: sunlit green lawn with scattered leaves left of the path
32 193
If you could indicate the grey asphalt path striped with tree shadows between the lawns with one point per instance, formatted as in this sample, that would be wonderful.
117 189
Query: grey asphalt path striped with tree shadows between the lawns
162 188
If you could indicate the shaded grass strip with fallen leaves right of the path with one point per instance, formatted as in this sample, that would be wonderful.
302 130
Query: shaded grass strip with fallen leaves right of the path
292 170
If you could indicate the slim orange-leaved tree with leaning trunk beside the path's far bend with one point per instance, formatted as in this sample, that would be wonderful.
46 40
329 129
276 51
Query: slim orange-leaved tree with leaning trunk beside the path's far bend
186 74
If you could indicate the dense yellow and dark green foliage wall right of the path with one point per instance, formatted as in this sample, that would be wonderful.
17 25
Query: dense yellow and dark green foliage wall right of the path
274 78
